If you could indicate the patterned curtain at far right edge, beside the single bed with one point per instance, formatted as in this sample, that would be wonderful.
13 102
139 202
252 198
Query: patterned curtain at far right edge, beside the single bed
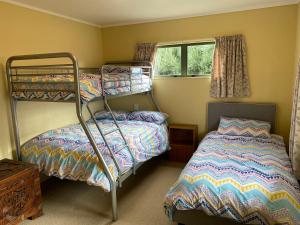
294 143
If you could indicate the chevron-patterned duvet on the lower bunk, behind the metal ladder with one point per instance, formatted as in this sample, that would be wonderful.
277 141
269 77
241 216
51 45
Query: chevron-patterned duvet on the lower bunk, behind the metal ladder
67 153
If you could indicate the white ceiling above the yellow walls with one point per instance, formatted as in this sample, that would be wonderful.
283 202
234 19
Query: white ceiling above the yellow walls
120 12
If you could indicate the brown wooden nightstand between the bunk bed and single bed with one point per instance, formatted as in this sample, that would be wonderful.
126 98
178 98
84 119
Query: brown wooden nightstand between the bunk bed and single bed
183 141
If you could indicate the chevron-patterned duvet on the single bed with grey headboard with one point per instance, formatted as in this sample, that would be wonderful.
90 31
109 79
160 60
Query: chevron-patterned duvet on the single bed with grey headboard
246 179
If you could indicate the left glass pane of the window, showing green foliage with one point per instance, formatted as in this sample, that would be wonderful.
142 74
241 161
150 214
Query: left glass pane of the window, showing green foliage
168 61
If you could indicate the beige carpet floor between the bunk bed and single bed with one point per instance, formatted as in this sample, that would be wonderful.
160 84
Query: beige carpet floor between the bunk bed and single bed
140 200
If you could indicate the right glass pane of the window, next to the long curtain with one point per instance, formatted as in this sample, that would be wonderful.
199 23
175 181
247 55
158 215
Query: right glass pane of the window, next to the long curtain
200 59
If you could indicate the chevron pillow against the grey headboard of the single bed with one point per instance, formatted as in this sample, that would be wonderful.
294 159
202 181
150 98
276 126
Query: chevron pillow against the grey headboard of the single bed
244 127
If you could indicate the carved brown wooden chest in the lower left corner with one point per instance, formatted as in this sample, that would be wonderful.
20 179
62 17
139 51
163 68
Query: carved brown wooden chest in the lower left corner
20 192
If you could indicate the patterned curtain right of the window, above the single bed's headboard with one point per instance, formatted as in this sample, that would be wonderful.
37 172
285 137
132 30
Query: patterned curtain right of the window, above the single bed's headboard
229 73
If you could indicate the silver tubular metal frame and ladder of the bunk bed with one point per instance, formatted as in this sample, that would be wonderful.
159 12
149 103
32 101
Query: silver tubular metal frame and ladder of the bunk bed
12 71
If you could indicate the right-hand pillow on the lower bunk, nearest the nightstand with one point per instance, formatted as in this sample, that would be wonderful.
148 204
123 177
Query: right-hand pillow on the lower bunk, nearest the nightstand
148 116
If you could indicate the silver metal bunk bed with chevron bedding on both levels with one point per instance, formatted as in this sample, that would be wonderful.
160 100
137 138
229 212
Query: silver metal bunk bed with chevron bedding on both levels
109 150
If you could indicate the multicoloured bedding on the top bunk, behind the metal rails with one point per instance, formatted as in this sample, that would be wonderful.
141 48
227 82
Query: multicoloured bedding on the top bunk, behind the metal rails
61 87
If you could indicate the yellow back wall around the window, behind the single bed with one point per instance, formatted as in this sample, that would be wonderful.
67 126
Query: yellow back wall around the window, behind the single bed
271 39
